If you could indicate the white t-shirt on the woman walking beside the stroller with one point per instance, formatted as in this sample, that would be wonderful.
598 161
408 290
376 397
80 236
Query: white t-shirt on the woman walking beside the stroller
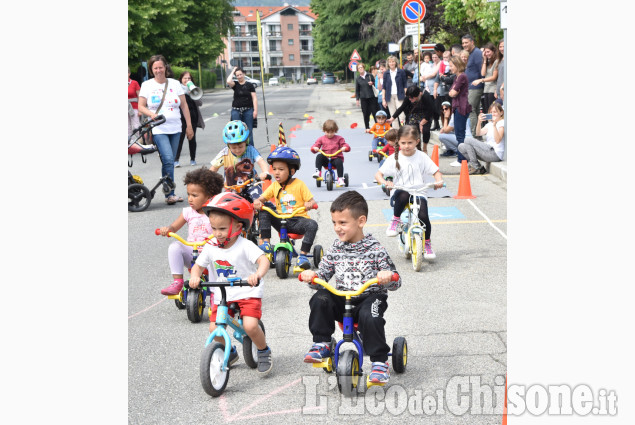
171 108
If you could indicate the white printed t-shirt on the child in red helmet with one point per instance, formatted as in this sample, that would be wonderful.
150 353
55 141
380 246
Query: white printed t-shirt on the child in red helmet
239 260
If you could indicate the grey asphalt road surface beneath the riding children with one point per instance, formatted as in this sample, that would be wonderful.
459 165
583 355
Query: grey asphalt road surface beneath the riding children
452 313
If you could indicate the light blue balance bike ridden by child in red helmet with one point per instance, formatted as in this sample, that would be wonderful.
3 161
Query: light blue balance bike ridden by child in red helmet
214 368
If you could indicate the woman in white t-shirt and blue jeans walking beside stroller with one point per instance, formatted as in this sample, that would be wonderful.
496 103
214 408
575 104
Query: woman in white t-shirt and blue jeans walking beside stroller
167 93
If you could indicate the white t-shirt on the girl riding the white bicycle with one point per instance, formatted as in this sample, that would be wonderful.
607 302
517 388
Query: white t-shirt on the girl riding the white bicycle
411 170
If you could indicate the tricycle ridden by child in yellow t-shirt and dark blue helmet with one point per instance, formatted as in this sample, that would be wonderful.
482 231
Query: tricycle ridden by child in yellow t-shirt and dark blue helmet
284 251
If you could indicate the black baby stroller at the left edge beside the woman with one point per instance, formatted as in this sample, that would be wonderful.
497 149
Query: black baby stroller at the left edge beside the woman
139 196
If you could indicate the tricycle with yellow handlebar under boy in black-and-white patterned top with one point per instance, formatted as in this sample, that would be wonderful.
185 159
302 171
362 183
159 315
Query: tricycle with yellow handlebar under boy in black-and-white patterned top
348 364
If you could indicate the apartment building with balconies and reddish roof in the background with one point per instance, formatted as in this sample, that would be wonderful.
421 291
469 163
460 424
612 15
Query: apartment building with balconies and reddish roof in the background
287 41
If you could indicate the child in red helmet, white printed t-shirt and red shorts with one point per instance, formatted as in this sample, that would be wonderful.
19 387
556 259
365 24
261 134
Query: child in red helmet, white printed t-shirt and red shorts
228 254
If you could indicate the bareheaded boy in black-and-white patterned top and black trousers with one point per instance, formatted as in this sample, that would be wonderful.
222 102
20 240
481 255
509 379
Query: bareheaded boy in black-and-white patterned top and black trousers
353 259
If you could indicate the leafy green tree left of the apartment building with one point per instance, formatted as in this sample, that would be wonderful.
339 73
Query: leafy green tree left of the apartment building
184 31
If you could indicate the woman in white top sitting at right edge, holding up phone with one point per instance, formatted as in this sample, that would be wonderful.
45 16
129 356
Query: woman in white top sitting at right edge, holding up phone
492 149
